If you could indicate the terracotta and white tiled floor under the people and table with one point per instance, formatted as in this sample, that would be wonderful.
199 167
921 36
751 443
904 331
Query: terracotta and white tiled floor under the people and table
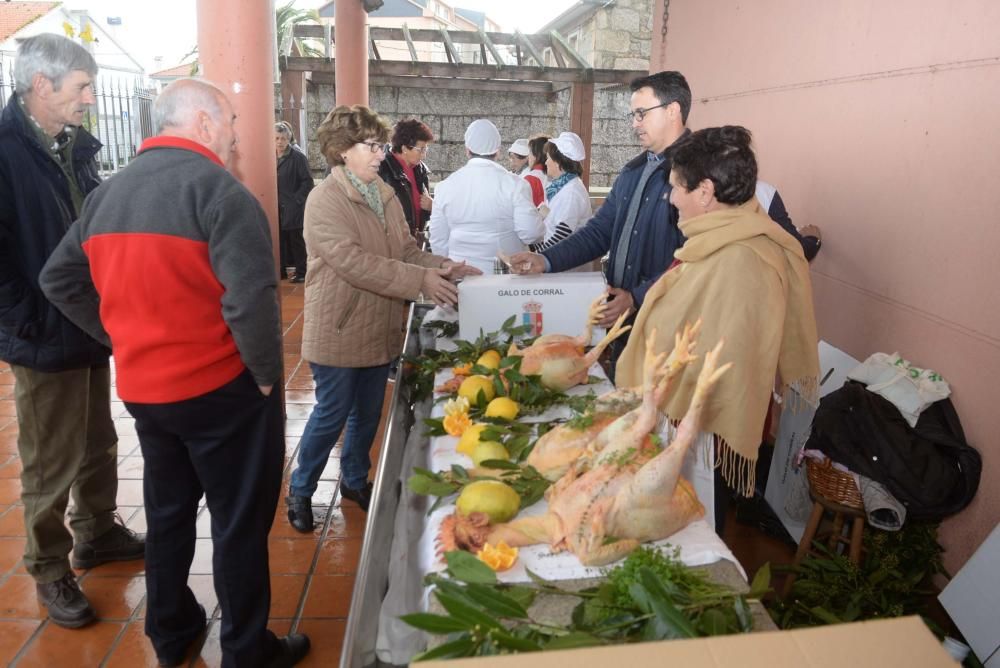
312 576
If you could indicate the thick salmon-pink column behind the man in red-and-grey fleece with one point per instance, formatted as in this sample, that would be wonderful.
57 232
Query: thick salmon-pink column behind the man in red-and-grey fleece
236 52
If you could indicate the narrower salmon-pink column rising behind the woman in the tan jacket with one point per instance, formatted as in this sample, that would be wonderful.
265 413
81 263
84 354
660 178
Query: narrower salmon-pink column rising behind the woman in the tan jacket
350 38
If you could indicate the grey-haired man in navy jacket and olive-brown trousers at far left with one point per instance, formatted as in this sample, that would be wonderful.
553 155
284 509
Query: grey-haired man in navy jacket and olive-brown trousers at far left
66 436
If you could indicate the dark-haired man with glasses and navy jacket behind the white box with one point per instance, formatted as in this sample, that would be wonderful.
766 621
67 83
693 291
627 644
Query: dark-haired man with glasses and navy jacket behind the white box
636 226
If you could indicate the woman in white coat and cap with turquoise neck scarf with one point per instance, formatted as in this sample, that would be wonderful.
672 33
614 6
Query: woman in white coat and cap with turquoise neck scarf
568 200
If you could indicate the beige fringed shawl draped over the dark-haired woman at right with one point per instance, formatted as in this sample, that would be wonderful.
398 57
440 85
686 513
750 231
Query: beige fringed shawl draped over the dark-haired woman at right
747 279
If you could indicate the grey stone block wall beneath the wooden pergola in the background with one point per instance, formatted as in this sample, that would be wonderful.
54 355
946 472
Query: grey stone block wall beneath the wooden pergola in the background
449 112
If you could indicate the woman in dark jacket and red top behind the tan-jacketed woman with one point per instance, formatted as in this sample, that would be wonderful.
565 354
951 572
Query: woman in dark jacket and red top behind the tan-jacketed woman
405 171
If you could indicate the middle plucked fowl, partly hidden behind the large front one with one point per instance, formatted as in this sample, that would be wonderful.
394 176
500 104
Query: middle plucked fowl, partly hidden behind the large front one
613 413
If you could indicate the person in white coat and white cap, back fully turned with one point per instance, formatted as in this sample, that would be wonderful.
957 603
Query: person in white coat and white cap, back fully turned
483 210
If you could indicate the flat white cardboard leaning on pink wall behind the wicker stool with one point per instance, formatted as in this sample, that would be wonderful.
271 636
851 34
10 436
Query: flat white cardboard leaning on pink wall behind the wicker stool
793 431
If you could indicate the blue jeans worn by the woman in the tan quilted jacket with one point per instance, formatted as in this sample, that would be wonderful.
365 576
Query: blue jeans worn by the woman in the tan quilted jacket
343 395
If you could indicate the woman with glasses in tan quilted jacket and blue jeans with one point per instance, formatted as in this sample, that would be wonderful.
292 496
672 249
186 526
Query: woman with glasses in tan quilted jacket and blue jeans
363 266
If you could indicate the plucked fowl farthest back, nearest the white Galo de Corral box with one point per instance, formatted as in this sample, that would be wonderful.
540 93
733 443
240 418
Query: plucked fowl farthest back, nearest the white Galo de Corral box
560 360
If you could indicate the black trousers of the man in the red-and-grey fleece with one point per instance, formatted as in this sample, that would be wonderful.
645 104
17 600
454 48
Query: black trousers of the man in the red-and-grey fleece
229 445
